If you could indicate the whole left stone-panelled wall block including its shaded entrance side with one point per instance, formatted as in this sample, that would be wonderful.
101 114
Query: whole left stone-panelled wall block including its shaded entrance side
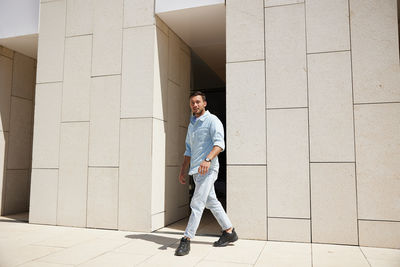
109 118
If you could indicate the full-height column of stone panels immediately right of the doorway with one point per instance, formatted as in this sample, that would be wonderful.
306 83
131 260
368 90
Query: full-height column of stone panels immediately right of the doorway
245 126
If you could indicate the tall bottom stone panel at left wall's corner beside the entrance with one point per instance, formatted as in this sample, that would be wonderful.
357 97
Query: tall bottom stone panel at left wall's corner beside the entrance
134 208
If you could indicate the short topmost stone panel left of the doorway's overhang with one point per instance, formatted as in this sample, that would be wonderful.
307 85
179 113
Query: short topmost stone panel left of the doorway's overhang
138 13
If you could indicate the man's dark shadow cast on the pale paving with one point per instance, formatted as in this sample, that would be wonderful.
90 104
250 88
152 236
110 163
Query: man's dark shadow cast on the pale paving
164 241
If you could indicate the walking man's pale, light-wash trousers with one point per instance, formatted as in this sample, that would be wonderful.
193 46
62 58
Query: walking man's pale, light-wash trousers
204 197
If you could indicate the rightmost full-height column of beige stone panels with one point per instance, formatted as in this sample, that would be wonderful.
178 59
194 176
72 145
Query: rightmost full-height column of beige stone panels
376 79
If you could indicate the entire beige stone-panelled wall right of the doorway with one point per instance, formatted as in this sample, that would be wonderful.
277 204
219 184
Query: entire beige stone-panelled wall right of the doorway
313 115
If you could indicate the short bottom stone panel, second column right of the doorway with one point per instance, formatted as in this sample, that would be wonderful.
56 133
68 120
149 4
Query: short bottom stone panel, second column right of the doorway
283 229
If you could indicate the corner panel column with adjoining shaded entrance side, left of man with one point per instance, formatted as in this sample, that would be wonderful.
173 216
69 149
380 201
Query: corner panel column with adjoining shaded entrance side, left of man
151 91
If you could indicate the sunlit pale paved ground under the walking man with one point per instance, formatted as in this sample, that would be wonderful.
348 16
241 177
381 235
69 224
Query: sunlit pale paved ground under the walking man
23 244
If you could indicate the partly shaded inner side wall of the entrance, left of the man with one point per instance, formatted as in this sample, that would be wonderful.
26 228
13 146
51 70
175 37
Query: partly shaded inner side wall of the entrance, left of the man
173 92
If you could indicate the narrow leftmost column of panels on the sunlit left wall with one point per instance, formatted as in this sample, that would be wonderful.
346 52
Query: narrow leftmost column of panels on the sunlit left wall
47 123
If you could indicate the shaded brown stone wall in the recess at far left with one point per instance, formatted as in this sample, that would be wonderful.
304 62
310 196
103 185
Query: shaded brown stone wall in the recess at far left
17 86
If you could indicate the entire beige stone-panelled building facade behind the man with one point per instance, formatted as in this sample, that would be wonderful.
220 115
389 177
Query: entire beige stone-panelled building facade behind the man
312 116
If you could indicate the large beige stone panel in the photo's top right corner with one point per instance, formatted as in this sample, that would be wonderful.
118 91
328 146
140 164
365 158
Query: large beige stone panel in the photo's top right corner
375 51
